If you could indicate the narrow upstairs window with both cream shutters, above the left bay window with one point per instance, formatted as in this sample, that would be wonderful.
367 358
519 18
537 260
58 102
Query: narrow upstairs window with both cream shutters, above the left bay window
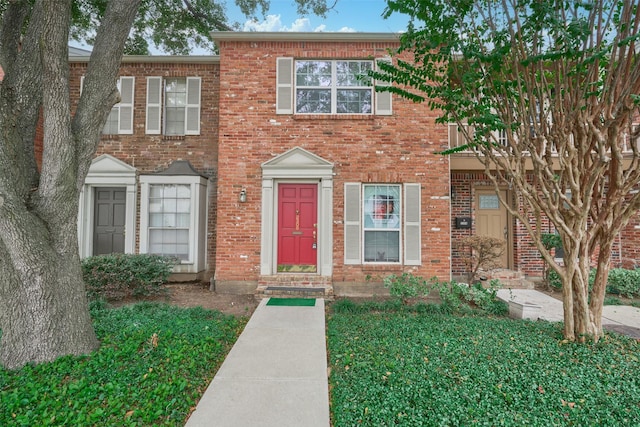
173 105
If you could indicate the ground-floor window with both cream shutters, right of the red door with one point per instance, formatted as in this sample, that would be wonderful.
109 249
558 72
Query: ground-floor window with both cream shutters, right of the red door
382 223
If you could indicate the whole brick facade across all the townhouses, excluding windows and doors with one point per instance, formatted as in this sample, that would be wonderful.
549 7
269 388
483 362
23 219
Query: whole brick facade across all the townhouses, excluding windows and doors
240 130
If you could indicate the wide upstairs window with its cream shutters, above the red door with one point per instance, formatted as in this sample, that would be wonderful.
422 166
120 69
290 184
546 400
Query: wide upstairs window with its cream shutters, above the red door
323 87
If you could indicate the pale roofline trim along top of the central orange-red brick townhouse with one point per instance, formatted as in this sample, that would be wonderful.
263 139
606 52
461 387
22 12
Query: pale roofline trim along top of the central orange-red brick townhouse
303 36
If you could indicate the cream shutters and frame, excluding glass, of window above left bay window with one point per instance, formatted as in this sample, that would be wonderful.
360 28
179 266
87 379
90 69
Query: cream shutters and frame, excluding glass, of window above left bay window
156 105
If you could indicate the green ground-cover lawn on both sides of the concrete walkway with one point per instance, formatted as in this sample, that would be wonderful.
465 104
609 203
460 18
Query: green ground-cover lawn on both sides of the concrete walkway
388 367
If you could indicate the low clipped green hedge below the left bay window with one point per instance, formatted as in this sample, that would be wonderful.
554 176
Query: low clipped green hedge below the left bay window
117 276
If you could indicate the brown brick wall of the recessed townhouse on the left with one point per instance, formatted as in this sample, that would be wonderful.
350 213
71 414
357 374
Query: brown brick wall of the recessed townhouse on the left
154 153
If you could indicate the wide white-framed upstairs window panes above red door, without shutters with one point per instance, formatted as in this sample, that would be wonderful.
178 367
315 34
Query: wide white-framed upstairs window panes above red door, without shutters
333 87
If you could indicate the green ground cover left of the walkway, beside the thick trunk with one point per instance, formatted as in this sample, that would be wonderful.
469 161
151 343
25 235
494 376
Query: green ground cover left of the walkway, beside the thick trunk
154 364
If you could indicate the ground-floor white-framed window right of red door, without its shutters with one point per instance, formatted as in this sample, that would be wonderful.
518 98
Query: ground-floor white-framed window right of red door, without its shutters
381 219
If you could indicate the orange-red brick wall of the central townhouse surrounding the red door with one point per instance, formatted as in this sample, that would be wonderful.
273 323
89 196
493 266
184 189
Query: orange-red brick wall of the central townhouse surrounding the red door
378 149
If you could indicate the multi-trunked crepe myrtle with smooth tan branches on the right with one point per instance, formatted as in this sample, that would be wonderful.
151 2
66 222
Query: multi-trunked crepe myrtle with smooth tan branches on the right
545 93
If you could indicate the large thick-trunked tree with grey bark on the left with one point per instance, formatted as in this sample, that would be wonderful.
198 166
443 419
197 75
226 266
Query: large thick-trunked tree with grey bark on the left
43 308
